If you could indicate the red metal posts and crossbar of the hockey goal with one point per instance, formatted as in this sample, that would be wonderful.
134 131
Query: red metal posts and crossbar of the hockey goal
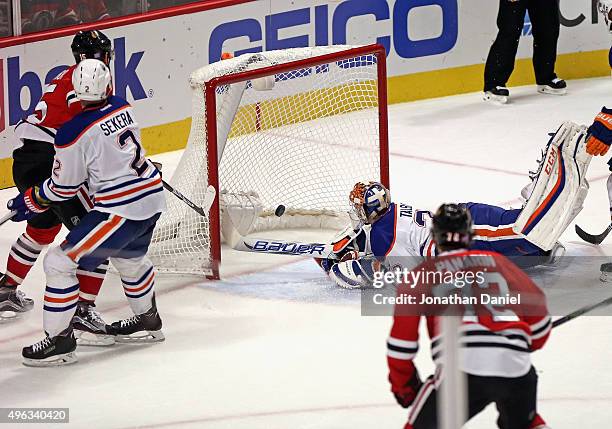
211 86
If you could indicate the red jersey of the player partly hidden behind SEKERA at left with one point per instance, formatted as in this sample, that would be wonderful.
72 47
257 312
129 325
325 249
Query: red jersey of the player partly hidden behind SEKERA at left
56 107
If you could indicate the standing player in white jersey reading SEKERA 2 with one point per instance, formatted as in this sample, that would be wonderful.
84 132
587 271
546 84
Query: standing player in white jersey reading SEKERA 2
100 146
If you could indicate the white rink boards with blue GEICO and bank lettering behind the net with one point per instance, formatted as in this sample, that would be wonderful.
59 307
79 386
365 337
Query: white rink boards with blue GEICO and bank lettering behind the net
153 59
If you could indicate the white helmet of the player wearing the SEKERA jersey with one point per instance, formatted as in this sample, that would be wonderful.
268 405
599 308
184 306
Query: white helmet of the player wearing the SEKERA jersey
91 80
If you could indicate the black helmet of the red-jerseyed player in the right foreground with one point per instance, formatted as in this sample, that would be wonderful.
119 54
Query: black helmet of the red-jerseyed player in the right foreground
452 227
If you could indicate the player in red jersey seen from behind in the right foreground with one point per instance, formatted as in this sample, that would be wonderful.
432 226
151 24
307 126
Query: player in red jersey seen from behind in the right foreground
496 341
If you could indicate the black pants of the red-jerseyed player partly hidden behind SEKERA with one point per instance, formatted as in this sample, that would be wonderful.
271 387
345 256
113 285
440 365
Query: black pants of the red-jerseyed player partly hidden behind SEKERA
32 165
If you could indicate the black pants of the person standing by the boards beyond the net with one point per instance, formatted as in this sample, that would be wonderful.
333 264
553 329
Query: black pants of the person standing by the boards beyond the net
545 24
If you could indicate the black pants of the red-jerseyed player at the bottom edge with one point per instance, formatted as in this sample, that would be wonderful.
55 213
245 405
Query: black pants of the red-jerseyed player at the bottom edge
515 399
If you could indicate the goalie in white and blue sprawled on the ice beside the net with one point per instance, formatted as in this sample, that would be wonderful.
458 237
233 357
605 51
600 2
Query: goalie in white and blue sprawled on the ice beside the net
397 235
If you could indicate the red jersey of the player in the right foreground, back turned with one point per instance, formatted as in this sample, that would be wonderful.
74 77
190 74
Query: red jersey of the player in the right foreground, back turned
496 340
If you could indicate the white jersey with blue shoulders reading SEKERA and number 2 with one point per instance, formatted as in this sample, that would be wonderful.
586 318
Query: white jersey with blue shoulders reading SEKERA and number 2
102 147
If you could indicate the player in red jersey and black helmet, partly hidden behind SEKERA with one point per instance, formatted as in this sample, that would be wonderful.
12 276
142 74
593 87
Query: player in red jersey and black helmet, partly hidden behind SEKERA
32 164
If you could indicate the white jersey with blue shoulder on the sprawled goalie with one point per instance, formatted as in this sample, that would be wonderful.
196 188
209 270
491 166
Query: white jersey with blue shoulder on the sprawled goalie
403 232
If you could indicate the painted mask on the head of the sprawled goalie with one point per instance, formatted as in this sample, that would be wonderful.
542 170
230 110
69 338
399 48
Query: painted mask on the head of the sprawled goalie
370 201
